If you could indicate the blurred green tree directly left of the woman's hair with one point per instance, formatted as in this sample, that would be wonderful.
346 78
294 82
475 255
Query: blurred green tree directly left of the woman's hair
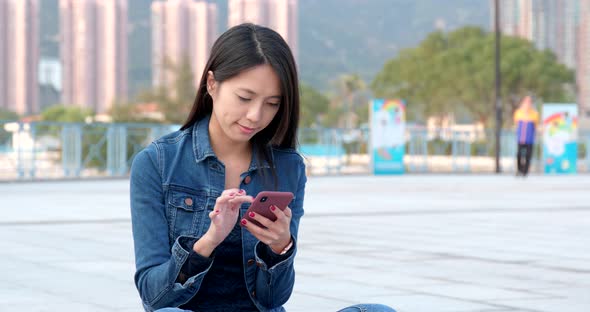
174 100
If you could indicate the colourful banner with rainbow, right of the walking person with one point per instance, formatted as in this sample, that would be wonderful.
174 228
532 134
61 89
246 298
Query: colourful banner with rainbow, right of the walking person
560 137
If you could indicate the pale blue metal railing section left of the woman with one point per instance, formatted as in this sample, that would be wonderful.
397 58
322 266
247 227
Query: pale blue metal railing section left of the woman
47 150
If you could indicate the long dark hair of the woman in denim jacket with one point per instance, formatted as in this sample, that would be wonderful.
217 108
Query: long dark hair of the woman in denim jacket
243 47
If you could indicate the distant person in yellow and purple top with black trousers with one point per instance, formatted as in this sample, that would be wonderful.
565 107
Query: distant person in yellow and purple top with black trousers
526 119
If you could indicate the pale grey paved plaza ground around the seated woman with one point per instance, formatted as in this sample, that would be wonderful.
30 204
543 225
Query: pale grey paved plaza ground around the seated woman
419 243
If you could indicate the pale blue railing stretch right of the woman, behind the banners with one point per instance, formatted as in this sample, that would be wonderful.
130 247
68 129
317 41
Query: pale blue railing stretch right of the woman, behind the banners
344 151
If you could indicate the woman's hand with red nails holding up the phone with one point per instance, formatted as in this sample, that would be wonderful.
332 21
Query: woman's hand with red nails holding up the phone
276 235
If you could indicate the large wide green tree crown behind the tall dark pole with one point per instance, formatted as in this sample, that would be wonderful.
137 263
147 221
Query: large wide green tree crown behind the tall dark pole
454 73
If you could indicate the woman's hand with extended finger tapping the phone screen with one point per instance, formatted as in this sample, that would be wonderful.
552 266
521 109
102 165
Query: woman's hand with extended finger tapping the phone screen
223 218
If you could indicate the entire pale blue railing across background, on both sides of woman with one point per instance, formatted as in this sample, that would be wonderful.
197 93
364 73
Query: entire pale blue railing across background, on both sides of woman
47 150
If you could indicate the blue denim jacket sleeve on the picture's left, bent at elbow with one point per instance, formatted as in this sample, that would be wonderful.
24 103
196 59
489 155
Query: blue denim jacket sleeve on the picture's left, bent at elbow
158 265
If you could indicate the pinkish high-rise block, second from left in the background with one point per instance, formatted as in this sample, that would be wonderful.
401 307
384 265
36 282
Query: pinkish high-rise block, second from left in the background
93 50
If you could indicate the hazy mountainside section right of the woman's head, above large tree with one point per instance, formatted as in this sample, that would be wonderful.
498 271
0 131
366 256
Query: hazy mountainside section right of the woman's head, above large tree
346 36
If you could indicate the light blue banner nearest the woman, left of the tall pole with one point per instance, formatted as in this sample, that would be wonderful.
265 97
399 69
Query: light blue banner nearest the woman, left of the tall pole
387 140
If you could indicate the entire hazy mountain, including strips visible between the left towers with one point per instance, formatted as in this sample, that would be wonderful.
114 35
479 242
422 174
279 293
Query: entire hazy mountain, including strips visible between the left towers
335 36
